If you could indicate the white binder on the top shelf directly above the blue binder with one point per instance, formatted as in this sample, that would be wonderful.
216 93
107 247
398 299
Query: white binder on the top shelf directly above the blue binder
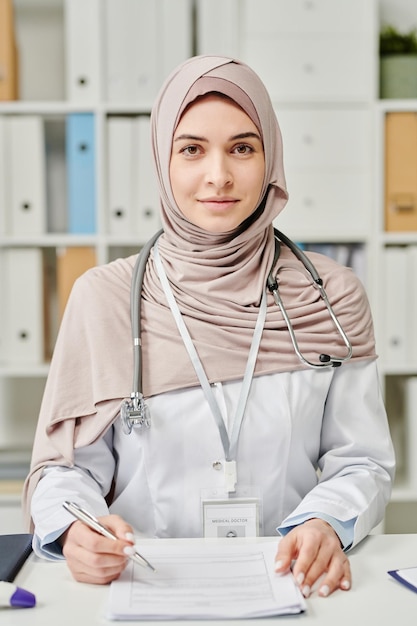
82 34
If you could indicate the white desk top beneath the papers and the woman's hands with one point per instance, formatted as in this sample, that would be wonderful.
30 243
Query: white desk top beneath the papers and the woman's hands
375 598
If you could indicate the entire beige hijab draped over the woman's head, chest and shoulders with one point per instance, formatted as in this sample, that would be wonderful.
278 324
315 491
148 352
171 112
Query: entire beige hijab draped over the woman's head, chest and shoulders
217 279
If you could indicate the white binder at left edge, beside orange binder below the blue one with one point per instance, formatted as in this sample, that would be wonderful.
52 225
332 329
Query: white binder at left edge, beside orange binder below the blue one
22 300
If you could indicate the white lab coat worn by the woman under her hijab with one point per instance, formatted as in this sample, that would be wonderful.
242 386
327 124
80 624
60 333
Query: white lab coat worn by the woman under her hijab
311 442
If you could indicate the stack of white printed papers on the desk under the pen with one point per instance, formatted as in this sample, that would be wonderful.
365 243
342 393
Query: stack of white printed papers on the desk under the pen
205 580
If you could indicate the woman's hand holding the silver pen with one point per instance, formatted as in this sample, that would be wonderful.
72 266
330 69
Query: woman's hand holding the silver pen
93 558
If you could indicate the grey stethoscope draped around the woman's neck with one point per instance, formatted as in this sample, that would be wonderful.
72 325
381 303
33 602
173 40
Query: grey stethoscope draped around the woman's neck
134 412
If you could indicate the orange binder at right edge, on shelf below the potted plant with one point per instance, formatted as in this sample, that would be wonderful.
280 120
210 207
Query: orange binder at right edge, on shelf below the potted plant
401 171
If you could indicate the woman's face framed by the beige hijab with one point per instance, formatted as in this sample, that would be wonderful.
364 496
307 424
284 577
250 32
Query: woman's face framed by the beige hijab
217 164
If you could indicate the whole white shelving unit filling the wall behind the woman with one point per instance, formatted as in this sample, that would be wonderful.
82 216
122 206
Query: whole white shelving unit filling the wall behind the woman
319 61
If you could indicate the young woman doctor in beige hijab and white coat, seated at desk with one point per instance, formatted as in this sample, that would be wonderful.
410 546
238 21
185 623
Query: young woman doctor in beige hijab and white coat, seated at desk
237 419
